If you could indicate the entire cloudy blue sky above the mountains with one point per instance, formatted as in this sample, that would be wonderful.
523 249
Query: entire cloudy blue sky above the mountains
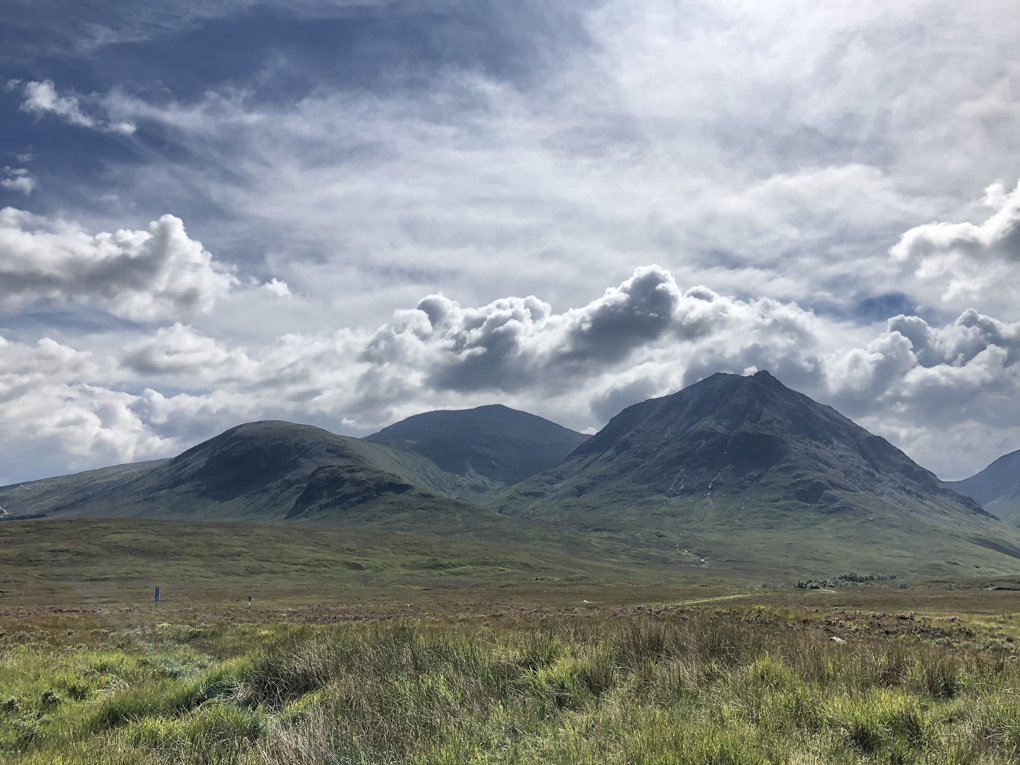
344 213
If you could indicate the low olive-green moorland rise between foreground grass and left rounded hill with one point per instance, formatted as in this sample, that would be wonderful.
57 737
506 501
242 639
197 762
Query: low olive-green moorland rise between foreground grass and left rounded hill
120 562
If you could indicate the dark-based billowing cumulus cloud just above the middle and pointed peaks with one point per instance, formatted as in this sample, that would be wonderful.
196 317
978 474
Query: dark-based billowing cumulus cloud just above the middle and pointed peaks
518 343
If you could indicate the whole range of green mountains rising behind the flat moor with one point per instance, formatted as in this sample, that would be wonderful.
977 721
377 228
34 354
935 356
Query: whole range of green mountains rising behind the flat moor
735 475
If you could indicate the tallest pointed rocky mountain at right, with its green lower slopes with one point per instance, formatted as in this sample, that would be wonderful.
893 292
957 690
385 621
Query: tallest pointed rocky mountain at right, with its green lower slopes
735 471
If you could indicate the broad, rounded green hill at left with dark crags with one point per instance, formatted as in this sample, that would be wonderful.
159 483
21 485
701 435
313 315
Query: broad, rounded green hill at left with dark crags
262 473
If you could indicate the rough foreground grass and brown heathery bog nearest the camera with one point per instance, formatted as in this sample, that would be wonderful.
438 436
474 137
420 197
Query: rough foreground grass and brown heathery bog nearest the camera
717 683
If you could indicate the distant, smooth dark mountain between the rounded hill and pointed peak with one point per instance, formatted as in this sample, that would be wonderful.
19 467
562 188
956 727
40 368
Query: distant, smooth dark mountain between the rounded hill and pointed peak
488 448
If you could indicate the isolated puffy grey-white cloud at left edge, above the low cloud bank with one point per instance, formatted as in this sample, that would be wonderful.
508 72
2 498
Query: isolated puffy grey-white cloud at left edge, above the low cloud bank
142 276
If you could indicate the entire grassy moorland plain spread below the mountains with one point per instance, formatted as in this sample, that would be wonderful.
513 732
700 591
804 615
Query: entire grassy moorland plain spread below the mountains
377 647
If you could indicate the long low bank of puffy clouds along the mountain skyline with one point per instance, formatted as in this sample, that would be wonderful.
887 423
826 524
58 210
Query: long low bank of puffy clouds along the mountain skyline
648 337
